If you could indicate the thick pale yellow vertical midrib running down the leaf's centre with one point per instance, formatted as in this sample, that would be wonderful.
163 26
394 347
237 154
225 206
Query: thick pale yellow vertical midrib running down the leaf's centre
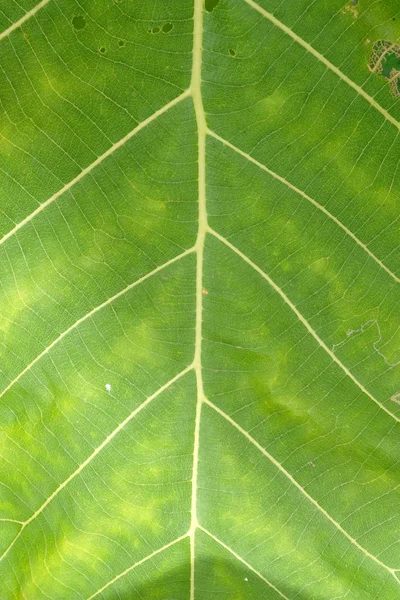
202 229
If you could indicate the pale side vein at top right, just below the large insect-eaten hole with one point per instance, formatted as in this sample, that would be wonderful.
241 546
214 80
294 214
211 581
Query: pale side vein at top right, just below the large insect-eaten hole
325 61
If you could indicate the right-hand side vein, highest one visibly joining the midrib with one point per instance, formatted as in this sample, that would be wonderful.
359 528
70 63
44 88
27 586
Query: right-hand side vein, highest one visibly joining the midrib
306 197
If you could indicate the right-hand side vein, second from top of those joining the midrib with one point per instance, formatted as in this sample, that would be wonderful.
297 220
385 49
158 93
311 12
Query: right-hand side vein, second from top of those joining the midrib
303 321
